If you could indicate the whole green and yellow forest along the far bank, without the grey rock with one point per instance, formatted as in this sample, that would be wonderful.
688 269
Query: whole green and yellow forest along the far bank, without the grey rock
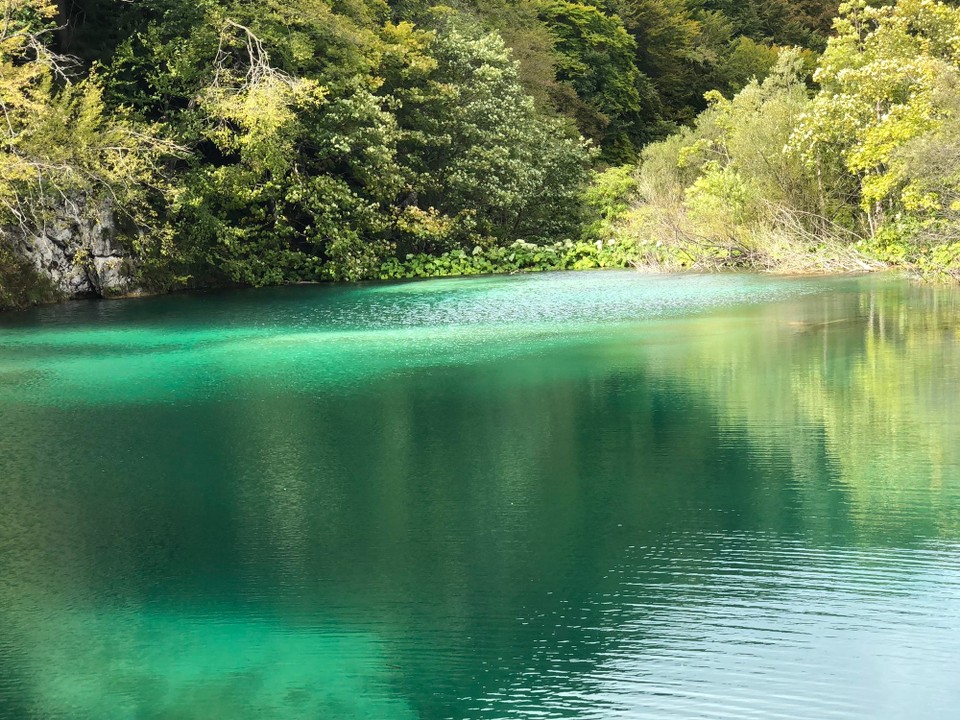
248 144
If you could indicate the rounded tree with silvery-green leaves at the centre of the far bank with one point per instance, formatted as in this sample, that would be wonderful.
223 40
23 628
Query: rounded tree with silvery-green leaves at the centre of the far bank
476 149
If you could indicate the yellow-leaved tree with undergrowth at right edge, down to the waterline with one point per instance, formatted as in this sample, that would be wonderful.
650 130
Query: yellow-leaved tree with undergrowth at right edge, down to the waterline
886 113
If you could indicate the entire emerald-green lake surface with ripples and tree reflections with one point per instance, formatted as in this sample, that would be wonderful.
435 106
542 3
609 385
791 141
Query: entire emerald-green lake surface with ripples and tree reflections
599 495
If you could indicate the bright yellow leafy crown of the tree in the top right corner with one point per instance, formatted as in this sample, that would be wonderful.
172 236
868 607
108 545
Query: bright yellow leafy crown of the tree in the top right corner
882 79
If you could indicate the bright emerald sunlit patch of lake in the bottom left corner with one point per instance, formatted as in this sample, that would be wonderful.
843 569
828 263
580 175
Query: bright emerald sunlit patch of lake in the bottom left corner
115 665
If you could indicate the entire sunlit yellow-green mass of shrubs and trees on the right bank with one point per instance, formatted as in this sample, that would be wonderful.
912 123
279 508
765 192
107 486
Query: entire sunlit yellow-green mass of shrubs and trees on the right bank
864 169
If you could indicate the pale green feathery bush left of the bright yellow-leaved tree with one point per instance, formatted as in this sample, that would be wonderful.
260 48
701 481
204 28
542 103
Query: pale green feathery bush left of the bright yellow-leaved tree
715 195
